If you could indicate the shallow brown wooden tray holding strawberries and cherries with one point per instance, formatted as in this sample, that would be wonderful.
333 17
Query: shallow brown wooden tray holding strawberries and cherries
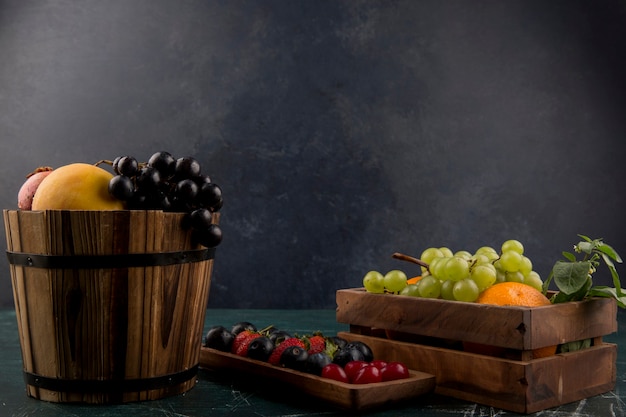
343 395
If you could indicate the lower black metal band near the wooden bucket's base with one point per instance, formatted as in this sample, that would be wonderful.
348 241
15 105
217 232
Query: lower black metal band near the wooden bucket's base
110 385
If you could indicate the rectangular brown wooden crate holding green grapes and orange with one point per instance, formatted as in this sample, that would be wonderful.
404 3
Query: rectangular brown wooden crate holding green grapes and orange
432 333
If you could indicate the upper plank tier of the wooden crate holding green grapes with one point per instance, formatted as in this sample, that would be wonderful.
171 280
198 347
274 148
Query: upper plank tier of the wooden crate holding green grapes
521 328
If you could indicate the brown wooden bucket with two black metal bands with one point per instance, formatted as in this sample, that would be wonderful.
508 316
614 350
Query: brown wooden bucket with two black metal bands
110 304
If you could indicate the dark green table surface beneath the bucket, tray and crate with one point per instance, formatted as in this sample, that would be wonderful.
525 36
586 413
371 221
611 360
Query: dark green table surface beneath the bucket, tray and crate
218 394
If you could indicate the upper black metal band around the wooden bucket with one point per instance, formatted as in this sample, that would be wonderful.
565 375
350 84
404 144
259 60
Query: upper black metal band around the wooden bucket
123 260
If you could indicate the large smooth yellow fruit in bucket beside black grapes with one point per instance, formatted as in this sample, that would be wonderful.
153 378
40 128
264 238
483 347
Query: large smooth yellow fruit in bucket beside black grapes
76 186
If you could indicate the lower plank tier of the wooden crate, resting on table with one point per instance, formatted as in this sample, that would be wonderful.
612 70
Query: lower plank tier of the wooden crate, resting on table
518 386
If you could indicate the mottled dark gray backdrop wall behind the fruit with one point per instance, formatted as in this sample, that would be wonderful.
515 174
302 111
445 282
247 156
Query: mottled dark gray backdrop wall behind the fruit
340 131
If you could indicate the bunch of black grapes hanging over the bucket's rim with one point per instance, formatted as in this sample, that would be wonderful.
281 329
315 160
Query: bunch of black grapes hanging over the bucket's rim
170 184
